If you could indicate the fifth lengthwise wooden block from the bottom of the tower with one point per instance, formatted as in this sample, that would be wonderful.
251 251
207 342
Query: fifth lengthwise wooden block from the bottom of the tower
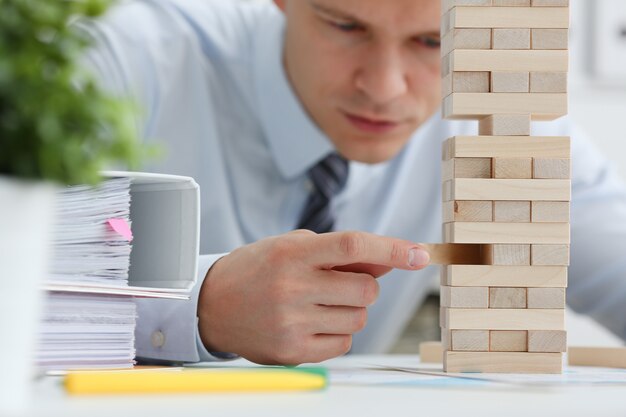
508 189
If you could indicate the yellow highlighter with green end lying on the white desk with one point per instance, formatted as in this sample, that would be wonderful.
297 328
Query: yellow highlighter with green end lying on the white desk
197 381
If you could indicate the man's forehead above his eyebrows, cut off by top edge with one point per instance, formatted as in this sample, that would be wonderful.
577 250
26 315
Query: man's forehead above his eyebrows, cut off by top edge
397 15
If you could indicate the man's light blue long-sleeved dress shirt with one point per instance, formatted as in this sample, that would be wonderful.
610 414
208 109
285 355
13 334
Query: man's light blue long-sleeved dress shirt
208 74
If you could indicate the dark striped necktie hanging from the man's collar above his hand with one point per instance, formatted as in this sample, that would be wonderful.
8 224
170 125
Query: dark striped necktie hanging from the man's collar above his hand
328 176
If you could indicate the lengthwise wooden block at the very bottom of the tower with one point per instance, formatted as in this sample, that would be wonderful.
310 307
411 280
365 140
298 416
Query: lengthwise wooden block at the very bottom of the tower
503 362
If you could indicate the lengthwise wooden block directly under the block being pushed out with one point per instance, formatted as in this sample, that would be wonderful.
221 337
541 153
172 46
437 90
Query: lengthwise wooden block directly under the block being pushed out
504 276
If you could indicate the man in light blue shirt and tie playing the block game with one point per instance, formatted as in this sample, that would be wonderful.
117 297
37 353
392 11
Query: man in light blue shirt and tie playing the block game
253 98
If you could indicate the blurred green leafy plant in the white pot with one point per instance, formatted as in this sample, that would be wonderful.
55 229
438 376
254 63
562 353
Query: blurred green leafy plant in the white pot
56 123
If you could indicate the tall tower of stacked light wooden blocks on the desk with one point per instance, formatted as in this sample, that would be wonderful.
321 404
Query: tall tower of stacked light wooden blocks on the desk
504 64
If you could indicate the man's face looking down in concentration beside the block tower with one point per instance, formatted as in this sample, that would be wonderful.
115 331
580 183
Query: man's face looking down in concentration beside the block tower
367 71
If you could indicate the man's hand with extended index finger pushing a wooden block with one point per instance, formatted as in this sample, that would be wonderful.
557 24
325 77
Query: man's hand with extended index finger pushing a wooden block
298 297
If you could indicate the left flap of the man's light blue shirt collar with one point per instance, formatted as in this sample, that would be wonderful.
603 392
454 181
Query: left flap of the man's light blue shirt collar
295 141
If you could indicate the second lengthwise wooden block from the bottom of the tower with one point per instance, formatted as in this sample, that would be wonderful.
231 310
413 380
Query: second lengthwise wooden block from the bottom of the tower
502 319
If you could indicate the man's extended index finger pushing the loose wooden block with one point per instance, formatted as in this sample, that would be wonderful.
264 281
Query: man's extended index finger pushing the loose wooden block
329 250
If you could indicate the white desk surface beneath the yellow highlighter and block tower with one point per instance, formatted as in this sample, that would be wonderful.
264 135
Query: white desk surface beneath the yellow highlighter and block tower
345 400
